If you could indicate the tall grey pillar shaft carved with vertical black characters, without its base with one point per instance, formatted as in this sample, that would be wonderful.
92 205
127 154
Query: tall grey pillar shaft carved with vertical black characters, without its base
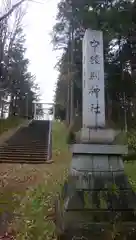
93 92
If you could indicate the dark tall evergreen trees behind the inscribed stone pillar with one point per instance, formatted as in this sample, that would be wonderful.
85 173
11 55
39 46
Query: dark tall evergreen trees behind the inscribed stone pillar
117 20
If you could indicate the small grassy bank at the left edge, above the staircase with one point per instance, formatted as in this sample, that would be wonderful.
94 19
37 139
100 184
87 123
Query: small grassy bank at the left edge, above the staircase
11 122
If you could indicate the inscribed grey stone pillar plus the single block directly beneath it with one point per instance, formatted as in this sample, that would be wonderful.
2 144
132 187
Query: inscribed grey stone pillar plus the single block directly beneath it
93 87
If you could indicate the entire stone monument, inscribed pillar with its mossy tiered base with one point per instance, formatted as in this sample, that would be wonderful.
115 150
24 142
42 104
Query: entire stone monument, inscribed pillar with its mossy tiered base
93 192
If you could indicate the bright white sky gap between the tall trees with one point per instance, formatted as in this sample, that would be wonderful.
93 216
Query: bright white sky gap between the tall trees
38 22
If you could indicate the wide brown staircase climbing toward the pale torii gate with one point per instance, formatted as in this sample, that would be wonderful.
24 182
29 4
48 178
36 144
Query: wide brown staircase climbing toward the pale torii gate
30 144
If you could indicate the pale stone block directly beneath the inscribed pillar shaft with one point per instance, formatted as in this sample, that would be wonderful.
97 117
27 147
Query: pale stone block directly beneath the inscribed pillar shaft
89 135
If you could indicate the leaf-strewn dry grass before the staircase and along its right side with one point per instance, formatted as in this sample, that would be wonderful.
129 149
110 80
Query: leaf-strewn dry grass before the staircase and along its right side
28 190
